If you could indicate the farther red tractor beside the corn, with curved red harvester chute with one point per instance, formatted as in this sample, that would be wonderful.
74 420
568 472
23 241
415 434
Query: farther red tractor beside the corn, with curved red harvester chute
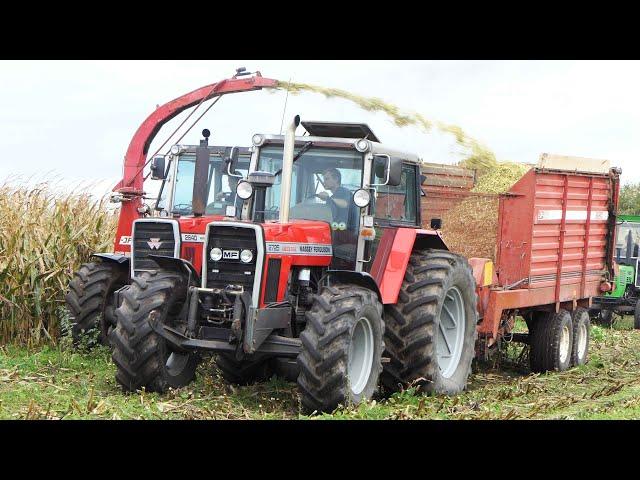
90 299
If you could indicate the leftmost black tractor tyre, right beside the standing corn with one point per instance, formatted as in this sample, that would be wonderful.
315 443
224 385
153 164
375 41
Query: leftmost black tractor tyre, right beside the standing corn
89 300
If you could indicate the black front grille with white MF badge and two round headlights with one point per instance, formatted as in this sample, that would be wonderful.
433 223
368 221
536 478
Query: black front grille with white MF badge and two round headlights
231 271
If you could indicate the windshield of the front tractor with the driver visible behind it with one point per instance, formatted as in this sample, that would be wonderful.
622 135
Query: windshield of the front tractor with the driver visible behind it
322 185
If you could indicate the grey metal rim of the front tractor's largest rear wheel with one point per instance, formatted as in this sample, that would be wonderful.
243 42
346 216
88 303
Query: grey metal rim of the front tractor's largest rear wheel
450 336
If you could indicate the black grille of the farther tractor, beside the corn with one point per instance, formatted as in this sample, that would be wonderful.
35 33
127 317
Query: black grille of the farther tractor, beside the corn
152 237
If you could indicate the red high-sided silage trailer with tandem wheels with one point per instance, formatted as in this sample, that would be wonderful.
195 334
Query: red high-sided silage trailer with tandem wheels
554 253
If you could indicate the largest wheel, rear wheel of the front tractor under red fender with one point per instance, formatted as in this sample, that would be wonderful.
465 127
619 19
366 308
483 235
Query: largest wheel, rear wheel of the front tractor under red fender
431 330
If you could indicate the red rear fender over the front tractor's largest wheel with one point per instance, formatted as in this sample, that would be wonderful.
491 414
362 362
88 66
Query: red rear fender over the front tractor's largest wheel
393 256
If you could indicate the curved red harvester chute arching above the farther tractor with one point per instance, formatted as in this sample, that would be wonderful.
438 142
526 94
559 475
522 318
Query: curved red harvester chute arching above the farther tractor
132 182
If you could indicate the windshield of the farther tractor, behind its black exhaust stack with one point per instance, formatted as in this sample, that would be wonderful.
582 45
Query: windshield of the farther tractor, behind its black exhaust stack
221 187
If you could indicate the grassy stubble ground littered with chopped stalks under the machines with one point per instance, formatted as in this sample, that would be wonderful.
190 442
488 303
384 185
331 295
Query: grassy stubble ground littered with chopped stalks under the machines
56 382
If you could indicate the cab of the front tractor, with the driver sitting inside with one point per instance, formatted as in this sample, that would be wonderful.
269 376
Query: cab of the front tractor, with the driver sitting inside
340 175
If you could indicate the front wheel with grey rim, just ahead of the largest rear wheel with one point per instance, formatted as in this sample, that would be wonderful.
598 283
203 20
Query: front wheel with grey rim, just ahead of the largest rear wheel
342 345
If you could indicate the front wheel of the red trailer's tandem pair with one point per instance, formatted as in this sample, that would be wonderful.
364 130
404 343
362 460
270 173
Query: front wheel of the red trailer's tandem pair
551 342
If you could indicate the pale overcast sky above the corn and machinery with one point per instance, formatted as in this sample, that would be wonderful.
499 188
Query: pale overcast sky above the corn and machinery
73 120
